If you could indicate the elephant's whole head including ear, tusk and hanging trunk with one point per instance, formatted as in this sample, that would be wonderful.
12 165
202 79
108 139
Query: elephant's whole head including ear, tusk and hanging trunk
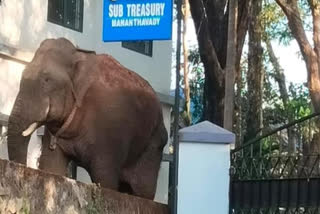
49 88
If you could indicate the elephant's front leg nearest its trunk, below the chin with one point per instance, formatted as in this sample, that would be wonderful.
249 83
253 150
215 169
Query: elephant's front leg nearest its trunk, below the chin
54 161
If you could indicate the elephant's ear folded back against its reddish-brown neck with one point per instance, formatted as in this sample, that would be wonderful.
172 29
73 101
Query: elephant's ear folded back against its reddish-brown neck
84 74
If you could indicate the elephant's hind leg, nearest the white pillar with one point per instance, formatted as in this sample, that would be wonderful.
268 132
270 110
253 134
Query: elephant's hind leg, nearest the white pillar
142 176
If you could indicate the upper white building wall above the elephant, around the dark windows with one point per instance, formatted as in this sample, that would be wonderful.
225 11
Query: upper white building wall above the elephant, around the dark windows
23 25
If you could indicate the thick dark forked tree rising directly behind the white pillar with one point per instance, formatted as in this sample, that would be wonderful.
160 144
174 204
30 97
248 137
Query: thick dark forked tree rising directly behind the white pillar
211 24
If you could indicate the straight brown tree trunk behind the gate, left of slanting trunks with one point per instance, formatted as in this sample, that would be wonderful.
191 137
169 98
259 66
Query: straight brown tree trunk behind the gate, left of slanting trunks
255 74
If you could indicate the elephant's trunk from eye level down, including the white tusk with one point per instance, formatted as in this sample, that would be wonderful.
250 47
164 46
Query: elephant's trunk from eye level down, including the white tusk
29 111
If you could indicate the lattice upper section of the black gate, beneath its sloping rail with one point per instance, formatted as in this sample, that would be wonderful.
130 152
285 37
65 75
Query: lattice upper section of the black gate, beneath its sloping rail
291 151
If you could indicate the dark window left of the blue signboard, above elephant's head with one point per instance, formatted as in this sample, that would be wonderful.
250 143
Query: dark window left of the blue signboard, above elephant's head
67 13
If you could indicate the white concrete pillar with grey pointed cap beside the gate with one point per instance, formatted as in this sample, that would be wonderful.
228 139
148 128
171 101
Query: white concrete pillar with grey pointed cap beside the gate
203 173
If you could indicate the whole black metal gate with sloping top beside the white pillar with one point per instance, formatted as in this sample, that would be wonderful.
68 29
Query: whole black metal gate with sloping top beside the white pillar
273 175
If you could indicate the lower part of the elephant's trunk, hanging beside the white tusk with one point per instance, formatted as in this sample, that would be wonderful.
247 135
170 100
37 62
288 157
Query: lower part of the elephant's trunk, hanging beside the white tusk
17 143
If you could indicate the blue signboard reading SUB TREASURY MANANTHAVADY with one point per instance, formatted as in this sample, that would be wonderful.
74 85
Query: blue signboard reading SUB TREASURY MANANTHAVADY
129 20
